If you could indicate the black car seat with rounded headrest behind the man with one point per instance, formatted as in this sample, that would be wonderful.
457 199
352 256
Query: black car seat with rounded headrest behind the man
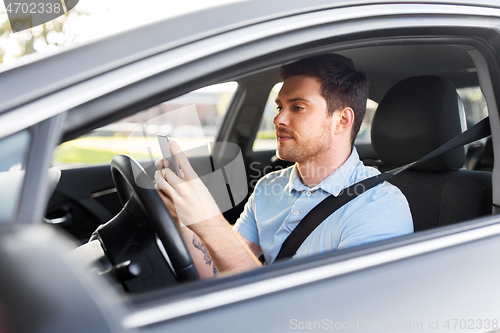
415 117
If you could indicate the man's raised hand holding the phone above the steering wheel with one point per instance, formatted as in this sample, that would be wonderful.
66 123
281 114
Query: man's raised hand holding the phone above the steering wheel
186 197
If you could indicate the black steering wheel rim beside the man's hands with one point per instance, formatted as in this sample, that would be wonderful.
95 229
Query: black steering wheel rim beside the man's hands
133 184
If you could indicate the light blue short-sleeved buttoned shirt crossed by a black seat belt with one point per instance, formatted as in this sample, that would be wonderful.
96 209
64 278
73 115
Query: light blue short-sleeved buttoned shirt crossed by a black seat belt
280 201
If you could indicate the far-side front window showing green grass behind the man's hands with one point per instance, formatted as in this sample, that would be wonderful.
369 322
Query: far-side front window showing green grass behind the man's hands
192 120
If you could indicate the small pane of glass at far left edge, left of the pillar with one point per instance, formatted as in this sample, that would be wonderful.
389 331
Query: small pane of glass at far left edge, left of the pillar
13 151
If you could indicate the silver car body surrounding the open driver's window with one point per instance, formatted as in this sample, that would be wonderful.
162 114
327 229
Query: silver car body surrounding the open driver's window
441 279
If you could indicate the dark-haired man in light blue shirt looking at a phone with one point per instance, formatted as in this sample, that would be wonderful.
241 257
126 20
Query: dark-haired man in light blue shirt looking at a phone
320 109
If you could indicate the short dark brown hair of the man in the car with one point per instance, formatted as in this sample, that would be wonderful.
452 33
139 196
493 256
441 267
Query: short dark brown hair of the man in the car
342 85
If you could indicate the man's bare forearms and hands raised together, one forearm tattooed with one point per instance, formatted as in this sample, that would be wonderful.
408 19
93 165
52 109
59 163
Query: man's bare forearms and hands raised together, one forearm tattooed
191 203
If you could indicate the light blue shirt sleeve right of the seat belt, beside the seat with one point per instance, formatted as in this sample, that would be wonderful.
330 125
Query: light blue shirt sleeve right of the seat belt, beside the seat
384 214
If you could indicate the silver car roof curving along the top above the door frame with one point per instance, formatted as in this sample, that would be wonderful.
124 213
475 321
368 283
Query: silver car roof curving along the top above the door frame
40 75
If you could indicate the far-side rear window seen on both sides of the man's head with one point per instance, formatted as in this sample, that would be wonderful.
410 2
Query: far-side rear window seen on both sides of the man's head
266 137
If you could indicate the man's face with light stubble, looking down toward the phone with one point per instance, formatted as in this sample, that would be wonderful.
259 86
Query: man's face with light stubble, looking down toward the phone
303 127
